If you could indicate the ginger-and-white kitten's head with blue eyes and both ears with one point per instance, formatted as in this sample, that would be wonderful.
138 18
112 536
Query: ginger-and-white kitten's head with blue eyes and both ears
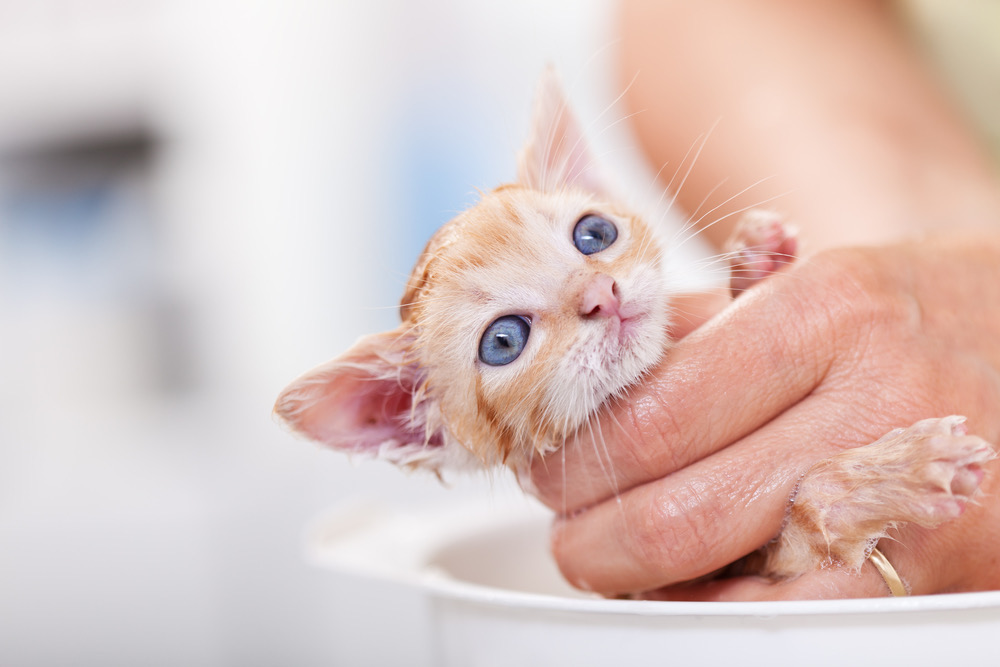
522 317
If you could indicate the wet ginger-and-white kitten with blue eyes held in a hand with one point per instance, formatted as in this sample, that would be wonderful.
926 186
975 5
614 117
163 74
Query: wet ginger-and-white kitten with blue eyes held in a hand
547 299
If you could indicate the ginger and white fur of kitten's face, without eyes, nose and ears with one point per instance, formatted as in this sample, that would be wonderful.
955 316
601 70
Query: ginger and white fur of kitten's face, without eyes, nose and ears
514 255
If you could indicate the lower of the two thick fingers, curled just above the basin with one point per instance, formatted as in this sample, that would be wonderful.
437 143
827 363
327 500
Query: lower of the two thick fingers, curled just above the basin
711 513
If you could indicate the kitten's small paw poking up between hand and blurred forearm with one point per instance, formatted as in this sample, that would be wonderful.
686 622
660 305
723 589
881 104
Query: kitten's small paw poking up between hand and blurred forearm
762 243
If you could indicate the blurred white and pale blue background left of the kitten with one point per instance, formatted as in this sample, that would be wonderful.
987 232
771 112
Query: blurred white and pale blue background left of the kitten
274 169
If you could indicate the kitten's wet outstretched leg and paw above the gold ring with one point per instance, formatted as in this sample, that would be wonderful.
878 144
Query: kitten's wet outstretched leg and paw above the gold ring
925 474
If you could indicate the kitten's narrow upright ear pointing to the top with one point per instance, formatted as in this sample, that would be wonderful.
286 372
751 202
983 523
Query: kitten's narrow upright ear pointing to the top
556 154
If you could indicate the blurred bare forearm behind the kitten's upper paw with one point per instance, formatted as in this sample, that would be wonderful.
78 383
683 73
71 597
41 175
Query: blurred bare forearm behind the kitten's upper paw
820 109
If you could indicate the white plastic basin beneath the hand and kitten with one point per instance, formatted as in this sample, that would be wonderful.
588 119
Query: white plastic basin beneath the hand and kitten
496 598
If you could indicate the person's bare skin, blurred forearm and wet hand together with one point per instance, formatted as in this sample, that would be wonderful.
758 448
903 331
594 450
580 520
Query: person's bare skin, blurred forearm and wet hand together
893 315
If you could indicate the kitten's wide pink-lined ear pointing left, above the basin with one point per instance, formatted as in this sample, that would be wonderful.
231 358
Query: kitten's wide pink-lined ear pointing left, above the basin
368 401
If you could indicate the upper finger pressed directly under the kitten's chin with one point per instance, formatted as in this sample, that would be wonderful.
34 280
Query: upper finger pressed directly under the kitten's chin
726 379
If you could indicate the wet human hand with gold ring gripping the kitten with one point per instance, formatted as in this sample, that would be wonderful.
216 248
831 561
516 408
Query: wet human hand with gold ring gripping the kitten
694 469
